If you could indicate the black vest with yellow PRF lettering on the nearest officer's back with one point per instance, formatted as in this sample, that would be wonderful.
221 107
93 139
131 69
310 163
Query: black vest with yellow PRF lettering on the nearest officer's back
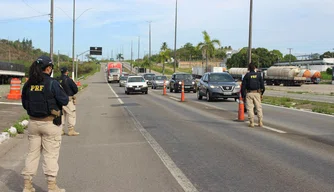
40 99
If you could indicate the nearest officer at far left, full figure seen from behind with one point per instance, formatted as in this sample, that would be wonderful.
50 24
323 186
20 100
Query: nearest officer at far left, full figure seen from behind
43 98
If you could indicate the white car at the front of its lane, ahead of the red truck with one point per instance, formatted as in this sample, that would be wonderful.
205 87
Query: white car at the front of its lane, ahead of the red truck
136 84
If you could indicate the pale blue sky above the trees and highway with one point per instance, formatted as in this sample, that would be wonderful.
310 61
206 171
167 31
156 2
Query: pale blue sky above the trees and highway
304 25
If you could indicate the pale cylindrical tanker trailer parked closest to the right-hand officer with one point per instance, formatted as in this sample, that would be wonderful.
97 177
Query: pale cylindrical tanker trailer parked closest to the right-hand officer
288 76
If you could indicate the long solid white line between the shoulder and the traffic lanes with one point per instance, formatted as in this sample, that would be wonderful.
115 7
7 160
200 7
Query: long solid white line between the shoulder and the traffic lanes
177 173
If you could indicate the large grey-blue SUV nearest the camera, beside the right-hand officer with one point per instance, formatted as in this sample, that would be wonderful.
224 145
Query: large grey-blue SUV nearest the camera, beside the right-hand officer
218 85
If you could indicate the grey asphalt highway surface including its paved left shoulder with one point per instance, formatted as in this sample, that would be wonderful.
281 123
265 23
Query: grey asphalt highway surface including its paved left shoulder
156 143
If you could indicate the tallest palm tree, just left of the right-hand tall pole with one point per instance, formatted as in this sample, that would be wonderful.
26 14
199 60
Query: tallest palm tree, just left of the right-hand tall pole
208 47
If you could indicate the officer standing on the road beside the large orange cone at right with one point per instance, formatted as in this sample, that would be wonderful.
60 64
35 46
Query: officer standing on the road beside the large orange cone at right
252 91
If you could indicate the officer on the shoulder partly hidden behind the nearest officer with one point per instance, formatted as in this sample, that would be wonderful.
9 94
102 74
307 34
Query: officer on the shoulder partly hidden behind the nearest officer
69 110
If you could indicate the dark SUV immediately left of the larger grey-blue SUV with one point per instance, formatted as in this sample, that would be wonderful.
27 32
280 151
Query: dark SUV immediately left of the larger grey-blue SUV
176 81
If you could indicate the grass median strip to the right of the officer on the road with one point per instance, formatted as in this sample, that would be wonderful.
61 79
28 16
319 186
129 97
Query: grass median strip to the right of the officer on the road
319 107
